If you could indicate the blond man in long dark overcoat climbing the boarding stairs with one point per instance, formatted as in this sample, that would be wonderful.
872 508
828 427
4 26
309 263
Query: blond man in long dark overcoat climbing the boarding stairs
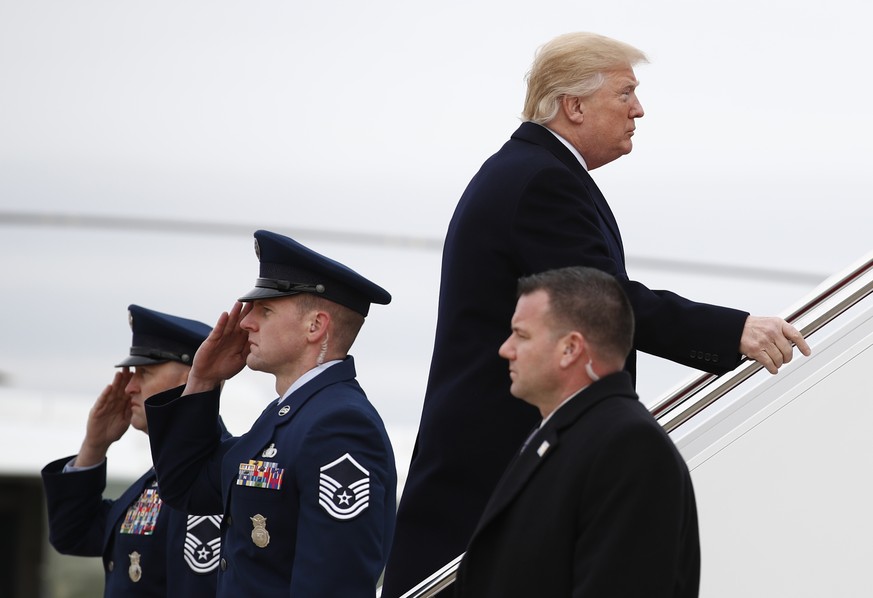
533 206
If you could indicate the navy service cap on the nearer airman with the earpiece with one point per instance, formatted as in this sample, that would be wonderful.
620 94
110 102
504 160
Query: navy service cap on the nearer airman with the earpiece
289 268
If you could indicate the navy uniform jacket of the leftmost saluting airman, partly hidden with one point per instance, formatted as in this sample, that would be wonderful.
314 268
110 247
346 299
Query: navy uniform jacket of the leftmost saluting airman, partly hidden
178 559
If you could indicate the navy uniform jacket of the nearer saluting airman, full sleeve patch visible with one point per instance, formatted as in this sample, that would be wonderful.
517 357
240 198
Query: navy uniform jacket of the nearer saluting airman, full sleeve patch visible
326 529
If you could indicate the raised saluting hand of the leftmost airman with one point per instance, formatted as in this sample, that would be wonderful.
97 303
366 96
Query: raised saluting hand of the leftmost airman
108 420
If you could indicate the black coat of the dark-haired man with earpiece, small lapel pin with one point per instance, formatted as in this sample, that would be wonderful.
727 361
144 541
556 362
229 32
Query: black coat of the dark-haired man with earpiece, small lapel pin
600 504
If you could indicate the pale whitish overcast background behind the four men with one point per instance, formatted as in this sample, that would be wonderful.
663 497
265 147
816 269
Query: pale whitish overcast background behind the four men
369 118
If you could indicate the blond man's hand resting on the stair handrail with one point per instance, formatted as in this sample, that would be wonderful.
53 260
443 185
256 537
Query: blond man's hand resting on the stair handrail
770 341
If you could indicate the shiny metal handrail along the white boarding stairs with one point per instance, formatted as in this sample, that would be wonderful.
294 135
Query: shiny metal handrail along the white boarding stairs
680 406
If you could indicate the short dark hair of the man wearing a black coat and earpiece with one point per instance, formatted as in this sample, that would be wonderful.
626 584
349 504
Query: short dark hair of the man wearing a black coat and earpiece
589 301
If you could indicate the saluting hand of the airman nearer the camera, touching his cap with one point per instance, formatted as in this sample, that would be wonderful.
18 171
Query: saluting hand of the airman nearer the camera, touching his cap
223 354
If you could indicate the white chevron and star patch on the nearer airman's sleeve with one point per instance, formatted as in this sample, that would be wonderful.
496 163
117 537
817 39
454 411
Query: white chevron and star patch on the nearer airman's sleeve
344 488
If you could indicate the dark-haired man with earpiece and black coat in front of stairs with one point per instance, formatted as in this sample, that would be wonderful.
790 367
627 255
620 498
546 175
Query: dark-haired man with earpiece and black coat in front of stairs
598 502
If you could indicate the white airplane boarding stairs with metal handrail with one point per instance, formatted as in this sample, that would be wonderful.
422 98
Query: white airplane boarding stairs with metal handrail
782 465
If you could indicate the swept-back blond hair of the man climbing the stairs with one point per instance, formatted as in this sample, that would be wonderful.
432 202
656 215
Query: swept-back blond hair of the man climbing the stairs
572 64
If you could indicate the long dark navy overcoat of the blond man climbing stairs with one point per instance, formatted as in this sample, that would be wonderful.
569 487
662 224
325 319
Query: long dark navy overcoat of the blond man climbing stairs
530 208
